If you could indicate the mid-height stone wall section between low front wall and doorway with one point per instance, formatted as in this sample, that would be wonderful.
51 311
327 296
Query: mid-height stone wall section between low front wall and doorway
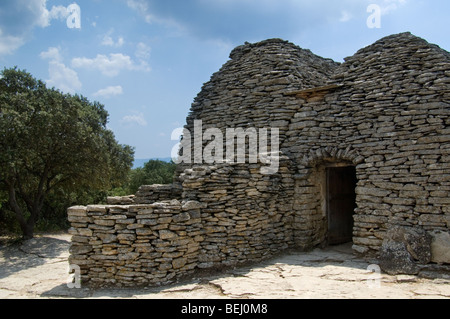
247 216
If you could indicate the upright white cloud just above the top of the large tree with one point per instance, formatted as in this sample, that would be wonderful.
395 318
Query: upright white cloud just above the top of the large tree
61 76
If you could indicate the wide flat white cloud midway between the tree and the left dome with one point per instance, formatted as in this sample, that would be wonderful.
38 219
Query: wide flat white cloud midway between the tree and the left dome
110 65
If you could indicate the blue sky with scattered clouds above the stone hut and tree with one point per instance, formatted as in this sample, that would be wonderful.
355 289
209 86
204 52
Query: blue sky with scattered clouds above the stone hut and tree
146 60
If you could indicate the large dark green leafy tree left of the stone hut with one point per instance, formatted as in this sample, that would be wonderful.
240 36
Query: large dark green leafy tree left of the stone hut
51 144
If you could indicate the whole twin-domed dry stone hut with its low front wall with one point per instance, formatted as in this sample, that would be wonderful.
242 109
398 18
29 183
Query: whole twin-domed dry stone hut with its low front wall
362 155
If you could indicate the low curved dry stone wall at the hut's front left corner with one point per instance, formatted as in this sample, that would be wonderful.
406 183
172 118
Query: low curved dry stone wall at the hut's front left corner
132 245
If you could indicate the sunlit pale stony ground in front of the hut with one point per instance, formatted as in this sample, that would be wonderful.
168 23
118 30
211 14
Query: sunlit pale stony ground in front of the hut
38 268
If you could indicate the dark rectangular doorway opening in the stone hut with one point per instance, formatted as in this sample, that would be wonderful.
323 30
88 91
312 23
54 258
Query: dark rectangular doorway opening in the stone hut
341 203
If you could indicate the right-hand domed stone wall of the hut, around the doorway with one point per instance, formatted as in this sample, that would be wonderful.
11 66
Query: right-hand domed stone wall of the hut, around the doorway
391 115
